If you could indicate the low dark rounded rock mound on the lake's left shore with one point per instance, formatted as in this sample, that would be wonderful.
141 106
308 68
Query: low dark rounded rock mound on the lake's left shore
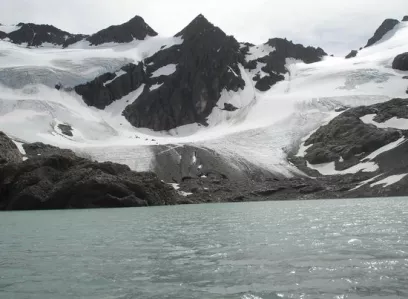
65 181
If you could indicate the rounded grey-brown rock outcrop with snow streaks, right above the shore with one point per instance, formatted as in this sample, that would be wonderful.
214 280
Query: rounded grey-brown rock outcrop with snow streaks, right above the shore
347 137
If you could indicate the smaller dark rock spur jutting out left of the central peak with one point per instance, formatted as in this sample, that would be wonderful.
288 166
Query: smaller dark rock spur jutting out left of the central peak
109 87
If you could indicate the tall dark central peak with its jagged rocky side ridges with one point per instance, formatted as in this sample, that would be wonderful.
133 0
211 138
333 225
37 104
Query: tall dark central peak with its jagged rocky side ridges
184 83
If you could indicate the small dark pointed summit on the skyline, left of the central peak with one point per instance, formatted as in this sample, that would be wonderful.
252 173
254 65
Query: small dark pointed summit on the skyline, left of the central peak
136 28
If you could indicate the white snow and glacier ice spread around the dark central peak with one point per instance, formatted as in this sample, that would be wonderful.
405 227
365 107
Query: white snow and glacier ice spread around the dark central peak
262 131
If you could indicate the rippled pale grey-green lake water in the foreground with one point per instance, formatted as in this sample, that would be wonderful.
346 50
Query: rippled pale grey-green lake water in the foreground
300 249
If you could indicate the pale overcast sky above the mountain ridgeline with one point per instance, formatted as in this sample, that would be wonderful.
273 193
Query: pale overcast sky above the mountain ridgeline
335 25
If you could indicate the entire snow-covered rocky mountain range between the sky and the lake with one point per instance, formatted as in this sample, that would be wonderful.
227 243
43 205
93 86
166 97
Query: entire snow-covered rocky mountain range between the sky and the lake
216 119
